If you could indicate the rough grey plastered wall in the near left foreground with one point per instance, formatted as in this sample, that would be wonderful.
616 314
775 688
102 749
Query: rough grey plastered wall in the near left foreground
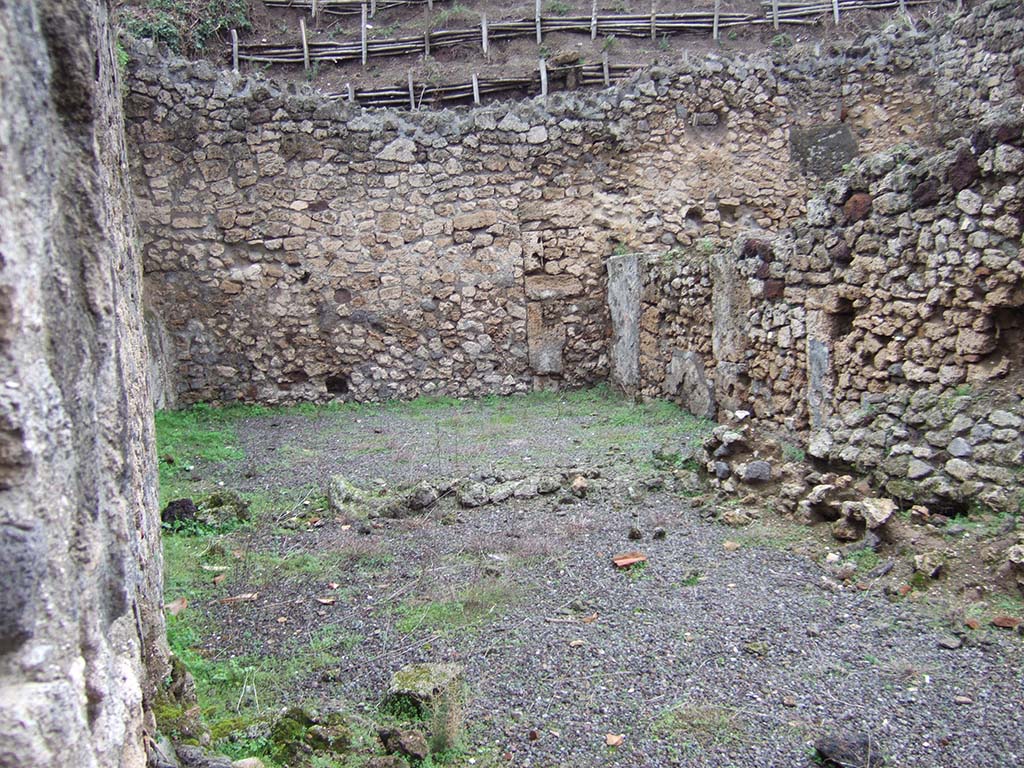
80 563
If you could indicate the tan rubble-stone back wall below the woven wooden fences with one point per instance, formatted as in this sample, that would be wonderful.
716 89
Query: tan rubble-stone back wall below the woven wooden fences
303 250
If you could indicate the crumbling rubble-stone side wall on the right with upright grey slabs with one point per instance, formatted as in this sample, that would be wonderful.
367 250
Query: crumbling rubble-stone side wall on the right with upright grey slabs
882 330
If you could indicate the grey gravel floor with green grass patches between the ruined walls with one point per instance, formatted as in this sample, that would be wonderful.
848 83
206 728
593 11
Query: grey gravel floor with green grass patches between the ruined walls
730 648
